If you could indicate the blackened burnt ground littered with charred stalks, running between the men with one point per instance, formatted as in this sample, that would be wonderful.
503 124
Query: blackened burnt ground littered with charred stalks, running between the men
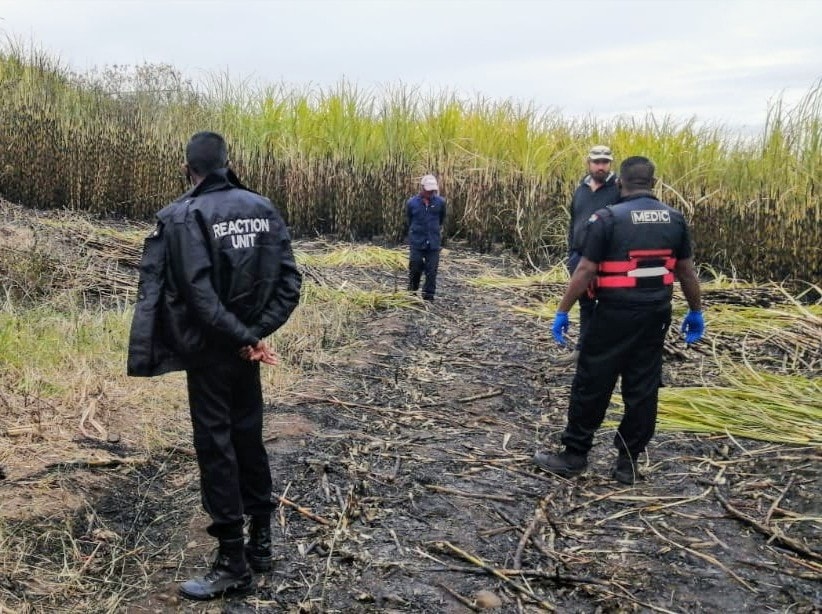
404 484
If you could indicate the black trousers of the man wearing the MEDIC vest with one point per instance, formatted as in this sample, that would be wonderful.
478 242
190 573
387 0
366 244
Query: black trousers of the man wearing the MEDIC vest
620 341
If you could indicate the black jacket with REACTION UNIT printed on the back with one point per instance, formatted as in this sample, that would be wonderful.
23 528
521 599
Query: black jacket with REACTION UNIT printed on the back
217 274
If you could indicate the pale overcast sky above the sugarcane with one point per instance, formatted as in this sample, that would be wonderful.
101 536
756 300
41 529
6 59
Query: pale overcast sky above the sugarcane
721 61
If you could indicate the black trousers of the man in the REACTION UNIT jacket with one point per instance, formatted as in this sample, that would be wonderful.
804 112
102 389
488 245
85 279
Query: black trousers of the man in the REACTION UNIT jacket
227 415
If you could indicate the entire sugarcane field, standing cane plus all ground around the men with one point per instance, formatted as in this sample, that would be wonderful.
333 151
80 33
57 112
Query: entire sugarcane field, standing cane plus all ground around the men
400 432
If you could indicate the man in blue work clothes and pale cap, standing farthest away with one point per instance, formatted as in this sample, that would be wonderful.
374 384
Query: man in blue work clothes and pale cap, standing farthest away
426 214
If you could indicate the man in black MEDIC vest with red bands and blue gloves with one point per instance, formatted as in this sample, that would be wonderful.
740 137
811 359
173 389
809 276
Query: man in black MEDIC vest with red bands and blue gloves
631 254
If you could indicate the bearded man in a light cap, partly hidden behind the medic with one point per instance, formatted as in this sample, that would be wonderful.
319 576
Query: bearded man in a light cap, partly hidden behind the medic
596 190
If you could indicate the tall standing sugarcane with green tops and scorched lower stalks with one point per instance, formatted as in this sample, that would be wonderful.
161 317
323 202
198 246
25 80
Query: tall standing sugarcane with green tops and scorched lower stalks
342 160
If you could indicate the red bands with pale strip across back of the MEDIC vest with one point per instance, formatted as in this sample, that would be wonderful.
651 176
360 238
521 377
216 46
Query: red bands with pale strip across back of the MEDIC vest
643 268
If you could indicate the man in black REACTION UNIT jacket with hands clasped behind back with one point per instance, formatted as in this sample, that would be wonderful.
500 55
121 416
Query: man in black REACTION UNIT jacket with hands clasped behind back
217 276
